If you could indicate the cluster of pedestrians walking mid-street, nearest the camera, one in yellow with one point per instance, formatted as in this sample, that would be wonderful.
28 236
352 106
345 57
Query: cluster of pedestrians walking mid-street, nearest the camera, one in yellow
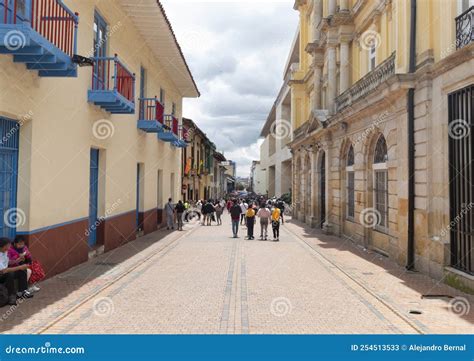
246 213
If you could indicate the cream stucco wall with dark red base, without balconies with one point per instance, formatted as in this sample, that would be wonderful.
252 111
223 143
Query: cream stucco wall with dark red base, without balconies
59 127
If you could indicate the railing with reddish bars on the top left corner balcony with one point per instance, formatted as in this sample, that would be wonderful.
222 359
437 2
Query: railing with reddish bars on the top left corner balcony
50 18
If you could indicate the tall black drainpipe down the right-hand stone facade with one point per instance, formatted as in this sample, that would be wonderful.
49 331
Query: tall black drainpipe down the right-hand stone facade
411 143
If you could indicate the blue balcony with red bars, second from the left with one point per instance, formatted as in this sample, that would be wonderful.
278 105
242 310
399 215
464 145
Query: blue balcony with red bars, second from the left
113 86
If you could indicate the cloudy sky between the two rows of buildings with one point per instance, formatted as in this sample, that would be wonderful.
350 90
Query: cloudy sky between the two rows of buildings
236 51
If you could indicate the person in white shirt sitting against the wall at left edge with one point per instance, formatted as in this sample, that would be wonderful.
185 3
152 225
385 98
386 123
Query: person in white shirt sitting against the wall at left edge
8 275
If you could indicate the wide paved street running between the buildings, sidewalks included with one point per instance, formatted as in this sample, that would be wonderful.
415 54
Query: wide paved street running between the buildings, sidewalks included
203 281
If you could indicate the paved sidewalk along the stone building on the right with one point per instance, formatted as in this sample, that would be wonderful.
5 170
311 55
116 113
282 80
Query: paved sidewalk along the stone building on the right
401 290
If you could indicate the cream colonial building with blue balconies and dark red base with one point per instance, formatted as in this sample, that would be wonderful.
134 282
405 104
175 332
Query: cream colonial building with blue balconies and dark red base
90 113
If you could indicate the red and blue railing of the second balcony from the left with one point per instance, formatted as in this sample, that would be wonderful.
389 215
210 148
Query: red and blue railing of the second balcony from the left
118 79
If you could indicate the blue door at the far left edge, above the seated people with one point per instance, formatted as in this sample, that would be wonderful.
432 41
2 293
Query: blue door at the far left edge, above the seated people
9 132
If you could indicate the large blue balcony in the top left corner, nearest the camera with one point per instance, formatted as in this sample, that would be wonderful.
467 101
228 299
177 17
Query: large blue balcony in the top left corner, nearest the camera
40 33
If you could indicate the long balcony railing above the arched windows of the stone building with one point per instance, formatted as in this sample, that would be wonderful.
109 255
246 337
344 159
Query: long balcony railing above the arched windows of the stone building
367 83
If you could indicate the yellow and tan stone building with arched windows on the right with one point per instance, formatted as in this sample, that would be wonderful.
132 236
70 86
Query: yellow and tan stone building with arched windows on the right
382 112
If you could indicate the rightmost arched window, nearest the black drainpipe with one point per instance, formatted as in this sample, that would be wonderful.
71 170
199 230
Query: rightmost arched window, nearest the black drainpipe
381 182
